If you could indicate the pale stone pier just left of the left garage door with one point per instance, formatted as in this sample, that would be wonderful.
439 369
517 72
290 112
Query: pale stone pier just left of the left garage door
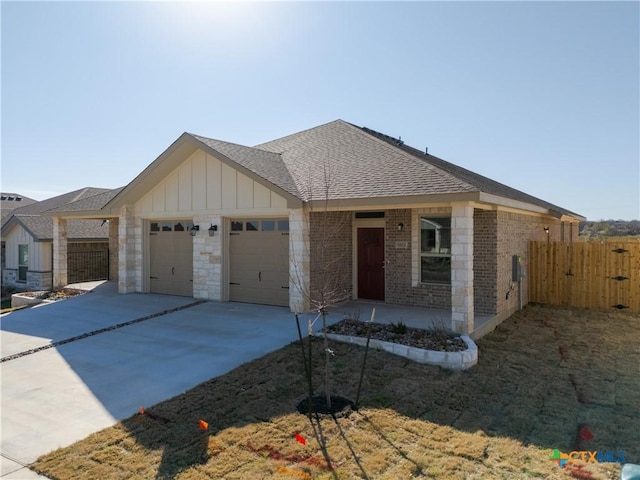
129 252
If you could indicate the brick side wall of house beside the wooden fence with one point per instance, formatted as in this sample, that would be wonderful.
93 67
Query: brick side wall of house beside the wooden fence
514 231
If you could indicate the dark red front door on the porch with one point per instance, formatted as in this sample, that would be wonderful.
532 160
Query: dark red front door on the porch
371 263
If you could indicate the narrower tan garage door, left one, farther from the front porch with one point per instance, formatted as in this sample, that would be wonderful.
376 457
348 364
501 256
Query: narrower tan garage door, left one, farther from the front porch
171 258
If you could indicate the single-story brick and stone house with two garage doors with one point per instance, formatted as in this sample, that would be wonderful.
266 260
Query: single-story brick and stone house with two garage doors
225 222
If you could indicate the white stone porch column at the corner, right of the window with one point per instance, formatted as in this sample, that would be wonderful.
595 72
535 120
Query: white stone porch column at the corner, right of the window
462 269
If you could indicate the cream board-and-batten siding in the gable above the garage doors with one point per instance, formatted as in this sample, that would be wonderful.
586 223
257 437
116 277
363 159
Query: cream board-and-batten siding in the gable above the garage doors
202 184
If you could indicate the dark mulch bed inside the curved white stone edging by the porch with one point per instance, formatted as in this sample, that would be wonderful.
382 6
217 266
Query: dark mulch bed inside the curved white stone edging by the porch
437 340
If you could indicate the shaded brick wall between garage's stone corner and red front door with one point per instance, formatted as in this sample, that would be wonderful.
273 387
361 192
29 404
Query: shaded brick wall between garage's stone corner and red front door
331 257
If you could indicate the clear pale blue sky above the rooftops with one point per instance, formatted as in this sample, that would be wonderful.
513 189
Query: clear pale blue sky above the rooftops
542 96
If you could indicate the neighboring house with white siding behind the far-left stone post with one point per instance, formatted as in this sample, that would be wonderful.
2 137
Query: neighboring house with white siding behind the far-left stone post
27 236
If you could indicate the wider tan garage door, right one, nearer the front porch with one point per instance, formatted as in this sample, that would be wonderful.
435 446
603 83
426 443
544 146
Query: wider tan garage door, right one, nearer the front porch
259 261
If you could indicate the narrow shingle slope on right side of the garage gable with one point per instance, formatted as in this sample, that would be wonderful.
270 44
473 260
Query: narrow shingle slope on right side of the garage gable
265 164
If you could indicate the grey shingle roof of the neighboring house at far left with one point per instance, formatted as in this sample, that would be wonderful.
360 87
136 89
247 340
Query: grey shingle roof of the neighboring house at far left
34 218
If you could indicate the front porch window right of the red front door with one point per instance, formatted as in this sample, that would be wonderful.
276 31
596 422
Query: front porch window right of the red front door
435 250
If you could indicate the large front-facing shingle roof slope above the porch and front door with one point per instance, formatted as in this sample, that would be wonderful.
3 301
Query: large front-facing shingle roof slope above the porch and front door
357 165
